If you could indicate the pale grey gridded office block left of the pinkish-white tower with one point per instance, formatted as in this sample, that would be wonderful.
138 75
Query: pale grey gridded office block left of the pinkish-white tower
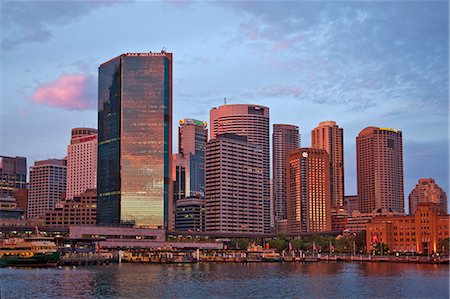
47 186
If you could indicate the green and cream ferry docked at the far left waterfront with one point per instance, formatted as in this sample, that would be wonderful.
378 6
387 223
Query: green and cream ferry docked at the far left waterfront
29 252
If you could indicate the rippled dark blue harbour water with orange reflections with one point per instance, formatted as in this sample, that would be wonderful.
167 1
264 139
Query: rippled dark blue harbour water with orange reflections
229 280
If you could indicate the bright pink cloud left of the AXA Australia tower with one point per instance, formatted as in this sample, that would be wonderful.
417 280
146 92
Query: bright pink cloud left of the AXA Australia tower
69 91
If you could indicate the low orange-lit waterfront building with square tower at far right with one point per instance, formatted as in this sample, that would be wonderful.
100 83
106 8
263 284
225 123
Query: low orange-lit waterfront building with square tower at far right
421 233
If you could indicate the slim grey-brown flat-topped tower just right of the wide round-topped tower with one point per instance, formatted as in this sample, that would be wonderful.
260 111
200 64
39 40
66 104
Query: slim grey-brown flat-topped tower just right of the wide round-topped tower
285 138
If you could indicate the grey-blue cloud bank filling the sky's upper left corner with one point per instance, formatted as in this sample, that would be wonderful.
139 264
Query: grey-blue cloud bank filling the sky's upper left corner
32 21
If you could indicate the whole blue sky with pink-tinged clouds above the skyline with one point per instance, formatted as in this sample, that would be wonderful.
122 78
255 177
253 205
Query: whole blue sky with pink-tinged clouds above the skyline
359 63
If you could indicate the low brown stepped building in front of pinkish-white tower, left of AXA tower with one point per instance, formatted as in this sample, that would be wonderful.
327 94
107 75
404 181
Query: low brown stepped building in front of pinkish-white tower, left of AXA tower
78 210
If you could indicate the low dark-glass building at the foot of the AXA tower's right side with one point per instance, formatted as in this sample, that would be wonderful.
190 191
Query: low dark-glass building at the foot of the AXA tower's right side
190 214
